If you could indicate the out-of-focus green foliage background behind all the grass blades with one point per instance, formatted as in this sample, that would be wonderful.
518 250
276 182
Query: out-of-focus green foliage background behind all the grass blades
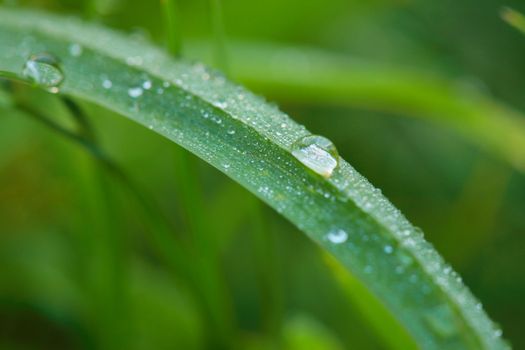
55 241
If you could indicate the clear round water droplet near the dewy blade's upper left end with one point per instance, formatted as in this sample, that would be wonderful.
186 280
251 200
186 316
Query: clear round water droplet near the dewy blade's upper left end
43 70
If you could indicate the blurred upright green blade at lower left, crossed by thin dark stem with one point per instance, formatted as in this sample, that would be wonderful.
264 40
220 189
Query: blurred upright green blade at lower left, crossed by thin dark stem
105 256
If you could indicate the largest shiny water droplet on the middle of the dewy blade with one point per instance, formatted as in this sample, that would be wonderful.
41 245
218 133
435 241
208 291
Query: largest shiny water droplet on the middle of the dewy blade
318 153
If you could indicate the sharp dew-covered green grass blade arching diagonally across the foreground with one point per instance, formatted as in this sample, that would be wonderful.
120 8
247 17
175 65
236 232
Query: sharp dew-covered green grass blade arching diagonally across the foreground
264 150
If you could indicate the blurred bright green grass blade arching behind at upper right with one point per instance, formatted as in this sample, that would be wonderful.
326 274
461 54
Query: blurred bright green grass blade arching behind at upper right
313 76
